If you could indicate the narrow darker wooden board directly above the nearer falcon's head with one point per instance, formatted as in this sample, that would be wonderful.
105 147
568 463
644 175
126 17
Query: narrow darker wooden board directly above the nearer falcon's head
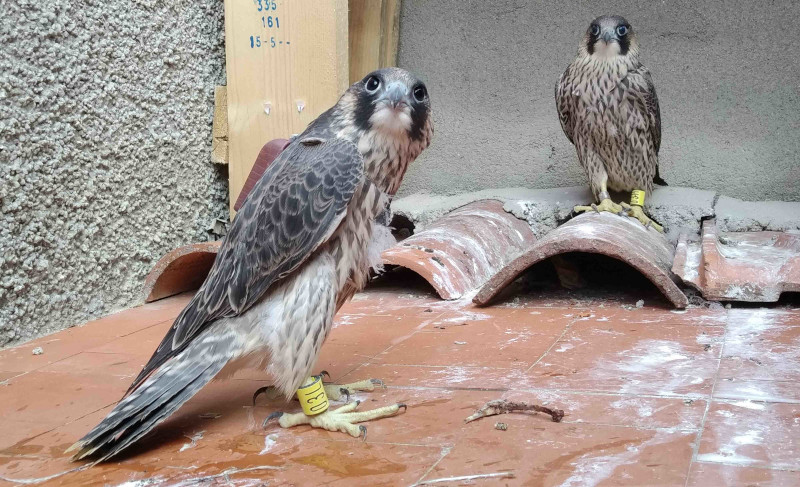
374 30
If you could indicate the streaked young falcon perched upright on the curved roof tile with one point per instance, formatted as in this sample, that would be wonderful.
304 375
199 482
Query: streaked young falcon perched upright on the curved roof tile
608 108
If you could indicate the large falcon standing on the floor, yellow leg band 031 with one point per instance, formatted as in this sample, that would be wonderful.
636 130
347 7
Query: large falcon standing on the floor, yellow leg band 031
301 245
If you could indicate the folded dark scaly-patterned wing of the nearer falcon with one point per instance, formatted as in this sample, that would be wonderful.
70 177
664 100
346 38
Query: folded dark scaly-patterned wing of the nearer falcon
294 208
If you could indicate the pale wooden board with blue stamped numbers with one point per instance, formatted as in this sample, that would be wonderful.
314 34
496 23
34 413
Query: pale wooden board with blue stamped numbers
289 57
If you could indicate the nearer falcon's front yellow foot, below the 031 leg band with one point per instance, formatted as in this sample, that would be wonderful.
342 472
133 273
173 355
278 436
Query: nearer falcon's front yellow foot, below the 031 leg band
344 419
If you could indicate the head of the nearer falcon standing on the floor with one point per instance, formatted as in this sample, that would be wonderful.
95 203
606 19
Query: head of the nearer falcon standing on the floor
392 101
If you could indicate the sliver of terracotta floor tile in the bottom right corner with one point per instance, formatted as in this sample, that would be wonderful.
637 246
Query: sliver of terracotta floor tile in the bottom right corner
707 474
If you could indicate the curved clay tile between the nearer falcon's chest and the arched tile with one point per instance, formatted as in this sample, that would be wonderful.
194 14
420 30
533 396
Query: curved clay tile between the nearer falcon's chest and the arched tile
460 251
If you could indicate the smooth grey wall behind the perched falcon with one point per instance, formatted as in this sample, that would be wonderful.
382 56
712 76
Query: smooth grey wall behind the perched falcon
726 75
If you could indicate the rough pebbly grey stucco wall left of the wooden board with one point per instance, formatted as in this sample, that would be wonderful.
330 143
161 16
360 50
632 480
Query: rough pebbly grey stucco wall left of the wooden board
105 137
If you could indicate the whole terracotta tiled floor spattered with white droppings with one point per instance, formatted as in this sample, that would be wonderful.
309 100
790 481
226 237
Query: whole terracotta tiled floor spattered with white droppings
704 397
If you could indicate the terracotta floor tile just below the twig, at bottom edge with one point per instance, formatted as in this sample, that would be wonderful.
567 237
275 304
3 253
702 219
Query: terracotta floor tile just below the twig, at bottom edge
547 453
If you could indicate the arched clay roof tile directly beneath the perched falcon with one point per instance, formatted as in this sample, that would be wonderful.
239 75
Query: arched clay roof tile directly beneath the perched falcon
624 239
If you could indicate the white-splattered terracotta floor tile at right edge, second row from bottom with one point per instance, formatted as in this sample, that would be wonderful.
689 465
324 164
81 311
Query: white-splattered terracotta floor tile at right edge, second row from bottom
752 434
